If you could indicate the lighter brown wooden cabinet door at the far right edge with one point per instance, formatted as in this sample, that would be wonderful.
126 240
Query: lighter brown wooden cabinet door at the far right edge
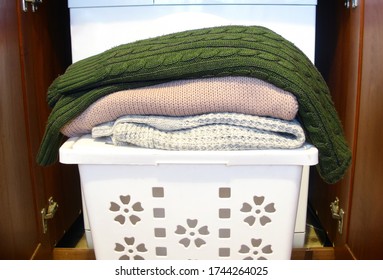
365 238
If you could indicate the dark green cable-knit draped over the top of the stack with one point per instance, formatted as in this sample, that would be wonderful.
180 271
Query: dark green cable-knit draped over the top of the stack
251 51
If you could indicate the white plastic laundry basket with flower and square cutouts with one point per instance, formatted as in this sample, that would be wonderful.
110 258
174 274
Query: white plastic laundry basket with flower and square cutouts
157 204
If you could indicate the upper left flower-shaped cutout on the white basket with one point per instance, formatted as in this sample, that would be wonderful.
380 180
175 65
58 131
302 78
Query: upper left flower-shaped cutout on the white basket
125 210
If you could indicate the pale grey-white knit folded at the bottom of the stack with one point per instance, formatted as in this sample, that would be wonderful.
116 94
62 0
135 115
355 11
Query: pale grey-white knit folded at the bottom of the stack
215 131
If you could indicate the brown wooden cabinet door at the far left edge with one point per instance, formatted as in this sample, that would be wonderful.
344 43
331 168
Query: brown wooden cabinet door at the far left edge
19 232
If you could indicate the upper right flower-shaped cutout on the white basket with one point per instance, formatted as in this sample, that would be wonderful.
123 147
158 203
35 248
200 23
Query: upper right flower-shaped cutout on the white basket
258 211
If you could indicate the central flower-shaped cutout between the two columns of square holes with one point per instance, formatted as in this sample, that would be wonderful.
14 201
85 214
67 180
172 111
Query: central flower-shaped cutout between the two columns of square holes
192 233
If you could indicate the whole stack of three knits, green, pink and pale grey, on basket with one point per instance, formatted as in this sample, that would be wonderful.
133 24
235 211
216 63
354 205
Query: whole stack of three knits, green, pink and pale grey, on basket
219 88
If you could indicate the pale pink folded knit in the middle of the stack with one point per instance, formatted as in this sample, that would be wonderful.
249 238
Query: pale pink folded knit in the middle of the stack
189 97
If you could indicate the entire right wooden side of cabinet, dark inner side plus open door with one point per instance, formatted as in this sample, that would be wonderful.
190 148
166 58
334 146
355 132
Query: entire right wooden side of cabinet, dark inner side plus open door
352 66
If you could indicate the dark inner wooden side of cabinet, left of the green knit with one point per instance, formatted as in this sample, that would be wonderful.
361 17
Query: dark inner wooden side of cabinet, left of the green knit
46 53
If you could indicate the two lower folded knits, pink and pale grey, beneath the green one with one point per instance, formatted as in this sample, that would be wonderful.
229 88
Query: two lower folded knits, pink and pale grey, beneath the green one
224 113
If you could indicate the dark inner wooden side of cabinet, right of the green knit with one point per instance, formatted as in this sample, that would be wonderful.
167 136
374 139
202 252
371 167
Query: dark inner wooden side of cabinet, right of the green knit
338 54
